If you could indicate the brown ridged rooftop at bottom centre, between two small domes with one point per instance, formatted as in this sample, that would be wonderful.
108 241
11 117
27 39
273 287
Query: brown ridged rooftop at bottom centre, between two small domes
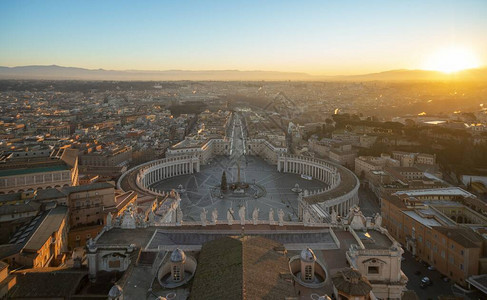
242 268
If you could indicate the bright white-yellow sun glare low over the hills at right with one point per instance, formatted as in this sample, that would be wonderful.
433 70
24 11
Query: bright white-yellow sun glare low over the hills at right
452 59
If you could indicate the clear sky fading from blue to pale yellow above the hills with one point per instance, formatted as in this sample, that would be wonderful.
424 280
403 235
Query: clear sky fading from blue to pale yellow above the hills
316 37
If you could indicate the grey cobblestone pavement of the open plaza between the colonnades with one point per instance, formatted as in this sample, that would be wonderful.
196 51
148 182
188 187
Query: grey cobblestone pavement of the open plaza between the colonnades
277 186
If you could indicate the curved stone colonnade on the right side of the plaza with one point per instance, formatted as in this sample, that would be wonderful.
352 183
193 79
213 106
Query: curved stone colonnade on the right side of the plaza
340 195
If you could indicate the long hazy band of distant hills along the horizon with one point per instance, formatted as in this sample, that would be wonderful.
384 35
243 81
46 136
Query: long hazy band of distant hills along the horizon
54 72
